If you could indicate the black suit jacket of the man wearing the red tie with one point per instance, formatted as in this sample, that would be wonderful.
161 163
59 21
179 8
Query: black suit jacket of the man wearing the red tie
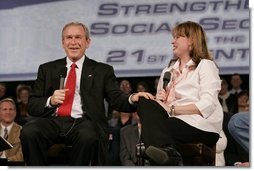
98 81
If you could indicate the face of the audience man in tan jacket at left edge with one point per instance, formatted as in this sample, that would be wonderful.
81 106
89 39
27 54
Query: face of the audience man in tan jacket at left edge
7 112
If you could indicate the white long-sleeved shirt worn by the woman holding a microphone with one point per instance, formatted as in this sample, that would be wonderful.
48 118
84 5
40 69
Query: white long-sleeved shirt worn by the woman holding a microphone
200 87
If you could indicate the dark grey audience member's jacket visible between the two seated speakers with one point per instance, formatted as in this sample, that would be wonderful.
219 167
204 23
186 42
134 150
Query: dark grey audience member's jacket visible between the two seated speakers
128 140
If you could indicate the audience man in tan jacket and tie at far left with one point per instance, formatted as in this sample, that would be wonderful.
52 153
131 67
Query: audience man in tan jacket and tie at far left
10 131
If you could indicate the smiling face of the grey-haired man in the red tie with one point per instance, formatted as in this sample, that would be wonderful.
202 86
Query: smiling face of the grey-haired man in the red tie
75 42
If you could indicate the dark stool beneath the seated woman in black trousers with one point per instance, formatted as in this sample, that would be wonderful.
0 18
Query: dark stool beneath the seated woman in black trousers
197 154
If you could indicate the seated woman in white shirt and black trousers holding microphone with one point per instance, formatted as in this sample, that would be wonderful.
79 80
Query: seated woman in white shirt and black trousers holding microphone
186 109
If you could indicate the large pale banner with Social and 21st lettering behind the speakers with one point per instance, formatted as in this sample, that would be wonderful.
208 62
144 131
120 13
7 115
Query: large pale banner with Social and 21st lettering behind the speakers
132 36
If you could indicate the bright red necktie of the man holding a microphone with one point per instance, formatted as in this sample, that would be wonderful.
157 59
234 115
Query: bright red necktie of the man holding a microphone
65 108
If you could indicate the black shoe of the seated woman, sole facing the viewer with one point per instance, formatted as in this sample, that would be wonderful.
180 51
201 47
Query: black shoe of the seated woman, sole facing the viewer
168 156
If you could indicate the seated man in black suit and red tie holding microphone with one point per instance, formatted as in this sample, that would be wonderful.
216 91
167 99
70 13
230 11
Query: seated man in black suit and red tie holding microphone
85 128
